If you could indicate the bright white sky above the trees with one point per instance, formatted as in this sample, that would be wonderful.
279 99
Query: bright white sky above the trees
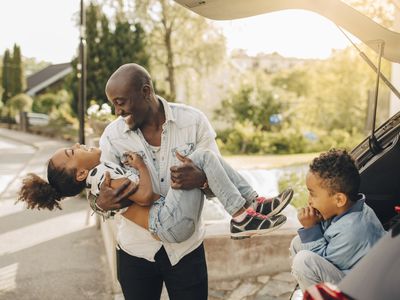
46 30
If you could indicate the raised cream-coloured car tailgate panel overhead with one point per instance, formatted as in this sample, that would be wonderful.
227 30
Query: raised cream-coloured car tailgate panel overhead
353 21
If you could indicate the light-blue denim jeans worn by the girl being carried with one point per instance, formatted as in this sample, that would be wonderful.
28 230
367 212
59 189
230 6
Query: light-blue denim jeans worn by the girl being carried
174 218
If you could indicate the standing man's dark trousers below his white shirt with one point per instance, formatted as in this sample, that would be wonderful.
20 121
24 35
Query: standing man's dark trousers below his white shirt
141 279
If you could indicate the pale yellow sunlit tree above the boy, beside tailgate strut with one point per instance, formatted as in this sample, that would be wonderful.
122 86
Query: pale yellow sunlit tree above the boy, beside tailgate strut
337 93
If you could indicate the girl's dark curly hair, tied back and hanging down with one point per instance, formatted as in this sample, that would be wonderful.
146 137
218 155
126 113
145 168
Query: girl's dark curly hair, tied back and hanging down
38 193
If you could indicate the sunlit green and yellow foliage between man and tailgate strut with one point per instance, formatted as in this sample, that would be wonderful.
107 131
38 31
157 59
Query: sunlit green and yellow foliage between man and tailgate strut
324 104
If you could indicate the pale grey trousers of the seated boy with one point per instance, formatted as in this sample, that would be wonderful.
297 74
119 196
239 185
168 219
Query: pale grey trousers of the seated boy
310 268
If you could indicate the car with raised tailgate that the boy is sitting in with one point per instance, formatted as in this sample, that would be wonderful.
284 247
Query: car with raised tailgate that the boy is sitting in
378 155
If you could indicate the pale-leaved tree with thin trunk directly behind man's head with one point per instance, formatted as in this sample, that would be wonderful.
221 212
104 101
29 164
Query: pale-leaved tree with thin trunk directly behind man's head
183 44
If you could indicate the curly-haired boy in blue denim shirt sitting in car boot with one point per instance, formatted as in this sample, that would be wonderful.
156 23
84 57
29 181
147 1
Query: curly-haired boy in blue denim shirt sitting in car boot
339 228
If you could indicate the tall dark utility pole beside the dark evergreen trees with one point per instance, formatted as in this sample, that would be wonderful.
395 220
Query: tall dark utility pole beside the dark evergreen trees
82 74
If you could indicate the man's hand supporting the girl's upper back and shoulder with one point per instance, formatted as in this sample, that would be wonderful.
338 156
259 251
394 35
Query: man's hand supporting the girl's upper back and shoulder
110 199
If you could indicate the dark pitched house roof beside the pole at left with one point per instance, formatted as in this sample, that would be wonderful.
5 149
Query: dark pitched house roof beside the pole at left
47 76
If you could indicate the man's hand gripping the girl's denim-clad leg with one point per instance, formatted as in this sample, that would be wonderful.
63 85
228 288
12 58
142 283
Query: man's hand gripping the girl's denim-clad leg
186 176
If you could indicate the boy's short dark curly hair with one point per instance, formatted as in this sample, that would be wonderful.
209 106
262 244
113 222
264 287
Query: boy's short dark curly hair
338 171
